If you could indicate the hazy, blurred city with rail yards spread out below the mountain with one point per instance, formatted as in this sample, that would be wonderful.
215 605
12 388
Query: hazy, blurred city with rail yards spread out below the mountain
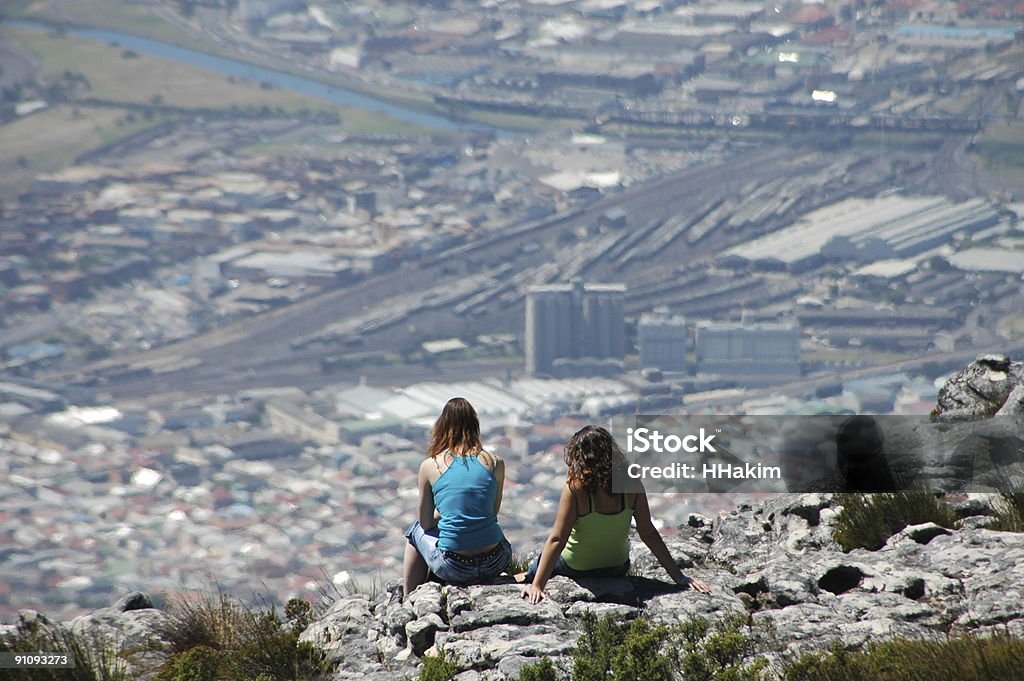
250 248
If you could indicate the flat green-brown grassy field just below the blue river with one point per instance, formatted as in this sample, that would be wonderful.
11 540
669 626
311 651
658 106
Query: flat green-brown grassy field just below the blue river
52 140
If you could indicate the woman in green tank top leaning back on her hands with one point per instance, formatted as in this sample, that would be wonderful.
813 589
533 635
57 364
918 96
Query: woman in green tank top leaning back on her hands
590 537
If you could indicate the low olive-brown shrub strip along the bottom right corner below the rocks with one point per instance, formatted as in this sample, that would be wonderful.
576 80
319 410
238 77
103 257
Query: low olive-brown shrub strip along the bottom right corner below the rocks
966 659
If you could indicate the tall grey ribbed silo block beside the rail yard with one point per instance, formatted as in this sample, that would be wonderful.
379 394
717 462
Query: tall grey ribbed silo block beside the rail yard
574 321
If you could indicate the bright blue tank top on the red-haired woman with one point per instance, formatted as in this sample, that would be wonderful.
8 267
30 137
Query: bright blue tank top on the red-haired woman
464 496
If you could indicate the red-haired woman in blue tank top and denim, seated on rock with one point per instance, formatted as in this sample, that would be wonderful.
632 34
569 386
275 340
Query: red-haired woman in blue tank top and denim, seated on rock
456 535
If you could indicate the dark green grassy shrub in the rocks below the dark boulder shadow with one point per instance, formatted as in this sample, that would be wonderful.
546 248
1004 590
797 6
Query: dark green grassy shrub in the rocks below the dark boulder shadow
867 522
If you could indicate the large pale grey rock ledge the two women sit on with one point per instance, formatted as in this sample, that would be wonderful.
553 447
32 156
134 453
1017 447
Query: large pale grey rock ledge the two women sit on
776 562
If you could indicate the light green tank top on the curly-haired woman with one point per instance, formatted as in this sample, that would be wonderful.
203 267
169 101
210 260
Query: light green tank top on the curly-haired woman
600 540
